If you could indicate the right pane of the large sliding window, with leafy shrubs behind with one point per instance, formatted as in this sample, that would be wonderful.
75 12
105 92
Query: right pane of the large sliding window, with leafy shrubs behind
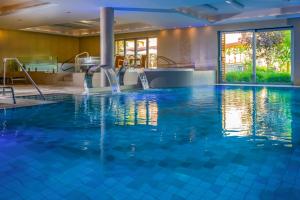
273 56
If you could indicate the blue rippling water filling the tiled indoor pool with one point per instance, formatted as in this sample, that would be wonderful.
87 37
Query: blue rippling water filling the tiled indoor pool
220 142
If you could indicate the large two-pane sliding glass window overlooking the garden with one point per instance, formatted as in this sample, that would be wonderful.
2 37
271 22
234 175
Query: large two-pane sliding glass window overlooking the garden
260 56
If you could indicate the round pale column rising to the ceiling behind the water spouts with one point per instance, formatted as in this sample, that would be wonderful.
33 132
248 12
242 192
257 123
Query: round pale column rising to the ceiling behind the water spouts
106 40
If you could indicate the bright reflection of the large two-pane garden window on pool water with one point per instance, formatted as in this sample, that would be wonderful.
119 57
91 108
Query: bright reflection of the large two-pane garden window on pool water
263 114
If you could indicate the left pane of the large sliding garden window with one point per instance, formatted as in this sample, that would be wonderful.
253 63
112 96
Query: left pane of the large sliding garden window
237 57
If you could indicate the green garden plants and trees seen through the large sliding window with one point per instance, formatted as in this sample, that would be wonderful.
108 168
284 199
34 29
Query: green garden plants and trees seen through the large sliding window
273 57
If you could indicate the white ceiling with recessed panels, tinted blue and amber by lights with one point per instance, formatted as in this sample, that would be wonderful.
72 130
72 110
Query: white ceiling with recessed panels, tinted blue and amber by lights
81 17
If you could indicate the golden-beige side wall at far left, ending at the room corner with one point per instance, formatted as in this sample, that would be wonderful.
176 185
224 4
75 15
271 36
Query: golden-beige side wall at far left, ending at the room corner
23 44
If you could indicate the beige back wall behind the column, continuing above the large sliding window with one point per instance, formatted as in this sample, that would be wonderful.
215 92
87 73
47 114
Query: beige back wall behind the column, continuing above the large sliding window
191 45
